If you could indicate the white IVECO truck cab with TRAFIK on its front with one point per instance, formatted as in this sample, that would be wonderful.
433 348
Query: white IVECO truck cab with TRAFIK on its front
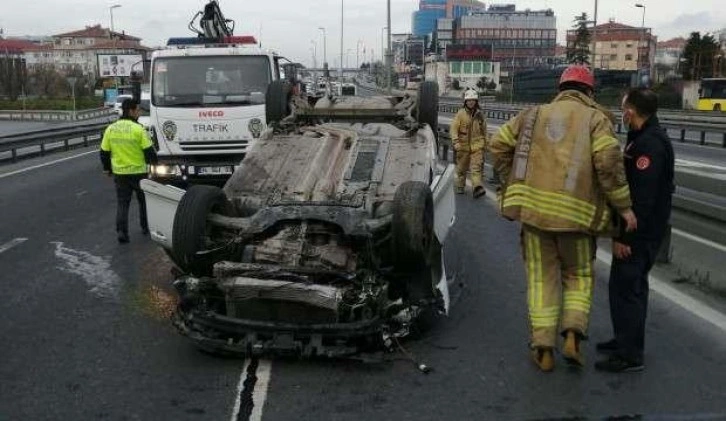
207 106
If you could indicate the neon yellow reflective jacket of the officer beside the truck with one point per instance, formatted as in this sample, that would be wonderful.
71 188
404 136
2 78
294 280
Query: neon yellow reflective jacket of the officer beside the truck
126 141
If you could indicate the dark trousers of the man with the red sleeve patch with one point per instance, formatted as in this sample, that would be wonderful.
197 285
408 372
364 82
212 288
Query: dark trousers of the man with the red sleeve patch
629 298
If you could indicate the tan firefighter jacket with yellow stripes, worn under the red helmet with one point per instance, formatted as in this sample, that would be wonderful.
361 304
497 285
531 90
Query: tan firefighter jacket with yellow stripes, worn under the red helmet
569 174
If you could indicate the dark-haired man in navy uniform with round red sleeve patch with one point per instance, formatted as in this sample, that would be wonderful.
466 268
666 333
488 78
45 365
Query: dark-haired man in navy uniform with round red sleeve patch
649 165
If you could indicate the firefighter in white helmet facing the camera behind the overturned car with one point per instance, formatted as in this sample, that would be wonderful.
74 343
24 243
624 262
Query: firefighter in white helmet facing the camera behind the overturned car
468 136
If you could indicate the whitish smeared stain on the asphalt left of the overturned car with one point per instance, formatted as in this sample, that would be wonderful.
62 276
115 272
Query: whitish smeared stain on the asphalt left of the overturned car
96 271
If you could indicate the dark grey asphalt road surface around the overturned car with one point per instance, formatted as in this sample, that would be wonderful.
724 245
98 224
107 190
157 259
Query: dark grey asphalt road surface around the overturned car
85 335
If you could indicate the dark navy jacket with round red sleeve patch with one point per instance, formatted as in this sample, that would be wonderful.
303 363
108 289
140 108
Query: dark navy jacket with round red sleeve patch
650 167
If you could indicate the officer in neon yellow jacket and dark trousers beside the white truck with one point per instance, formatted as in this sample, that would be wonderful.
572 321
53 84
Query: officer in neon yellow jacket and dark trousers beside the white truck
125 152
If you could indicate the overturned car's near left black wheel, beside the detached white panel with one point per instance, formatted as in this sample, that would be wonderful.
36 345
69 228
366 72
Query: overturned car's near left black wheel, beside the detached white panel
192 232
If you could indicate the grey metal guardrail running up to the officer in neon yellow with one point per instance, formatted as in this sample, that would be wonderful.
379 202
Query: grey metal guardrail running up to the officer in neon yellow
40 139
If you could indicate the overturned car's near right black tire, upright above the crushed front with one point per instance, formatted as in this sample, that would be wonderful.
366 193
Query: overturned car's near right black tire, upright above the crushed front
413 225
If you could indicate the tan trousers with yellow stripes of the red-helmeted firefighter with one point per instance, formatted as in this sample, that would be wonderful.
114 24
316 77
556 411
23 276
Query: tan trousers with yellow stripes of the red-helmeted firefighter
560 279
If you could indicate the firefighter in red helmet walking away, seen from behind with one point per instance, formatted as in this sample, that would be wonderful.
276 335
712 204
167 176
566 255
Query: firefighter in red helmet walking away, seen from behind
562 172
